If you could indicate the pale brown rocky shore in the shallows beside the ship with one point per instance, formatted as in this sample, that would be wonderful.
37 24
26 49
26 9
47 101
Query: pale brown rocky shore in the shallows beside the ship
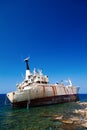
75 120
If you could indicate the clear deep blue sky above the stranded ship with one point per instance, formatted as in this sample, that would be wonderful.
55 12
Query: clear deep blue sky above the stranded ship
53 33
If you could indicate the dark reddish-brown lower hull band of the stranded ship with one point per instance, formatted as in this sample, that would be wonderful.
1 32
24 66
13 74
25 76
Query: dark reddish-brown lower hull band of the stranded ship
47 100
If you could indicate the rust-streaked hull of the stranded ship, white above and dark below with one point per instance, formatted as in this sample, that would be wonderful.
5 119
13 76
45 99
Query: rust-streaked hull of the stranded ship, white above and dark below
39 95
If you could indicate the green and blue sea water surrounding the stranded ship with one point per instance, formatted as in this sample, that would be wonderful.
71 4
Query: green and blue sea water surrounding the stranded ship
37 118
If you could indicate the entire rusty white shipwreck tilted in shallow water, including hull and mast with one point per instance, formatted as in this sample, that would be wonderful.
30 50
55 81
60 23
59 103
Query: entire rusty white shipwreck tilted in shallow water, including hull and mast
35 90
